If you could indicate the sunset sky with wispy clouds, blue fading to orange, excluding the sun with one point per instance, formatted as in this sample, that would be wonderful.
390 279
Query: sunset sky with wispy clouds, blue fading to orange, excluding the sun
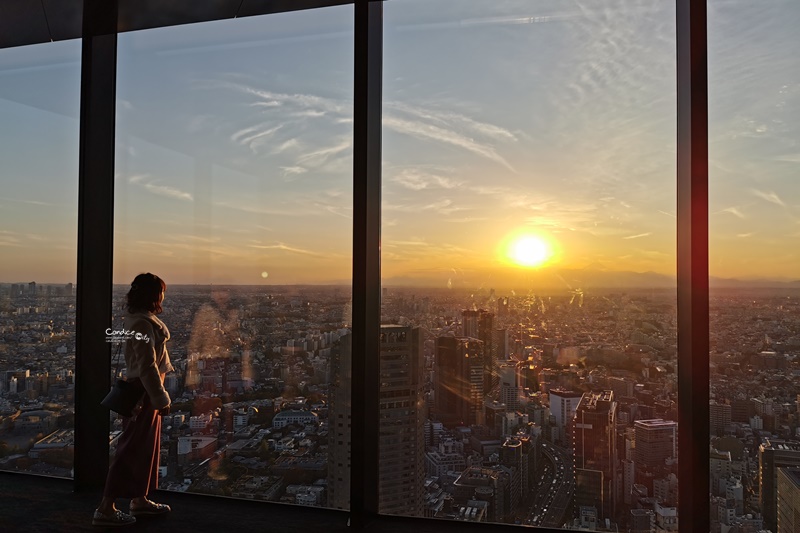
555 118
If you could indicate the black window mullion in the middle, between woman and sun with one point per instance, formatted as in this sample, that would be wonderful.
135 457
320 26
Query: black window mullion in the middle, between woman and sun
368 57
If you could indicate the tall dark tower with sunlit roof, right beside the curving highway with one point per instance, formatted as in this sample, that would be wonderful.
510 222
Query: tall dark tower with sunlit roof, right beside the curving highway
595 451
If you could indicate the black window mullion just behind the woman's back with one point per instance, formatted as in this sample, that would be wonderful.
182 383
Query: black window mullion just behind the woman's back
95 241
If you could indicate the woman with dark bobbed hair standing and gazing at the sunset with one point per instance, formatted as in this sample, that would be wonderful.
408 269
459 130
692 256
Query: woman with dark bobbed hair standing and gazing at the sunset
134 471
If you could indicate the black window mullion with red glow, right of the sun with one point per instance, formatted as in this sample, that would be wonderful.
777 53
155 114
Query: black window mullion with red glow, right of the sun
693 321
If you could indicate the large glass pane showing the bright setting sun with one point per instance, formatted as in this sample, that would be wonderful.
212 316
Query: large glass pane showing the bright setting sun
528 248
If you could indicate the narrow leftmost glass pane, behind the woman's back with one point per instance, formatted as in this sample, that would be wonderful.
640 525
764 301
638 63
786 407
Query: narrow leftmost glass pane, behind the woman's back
39 88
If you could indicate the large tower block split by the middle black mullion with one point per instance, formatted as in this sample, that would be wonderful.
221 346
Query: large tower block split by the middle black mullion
401 454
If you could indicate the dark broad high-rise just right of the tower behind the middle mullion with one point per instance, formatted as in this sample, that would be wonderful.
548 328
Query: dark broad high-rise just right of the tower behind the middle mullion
458 382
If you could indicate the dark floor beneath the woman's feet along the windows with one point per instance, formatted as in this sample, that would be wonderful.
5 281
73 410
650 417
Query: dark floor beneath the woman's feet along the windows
41 504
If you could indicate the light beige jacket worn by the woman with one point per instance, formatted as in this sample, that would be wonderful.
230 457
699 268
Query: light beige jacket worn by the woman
146 355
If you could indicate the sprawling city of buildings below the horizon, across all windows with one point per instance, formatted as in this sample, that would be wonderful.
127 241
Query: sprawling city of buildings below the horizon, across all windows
549 408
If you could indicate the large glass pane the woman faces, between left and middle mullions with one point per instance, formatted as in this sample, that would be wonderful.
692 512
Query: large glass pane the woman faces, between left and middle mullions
234 184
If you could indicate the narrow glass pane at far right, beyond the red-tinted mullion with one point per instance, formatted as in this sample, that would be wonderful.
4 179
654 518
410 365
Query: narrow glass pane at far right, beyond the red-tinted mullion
754 102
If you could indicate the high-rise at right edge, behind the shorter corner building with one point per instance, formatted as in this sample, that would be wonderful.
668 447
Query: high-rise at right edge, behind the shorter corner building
772 455
